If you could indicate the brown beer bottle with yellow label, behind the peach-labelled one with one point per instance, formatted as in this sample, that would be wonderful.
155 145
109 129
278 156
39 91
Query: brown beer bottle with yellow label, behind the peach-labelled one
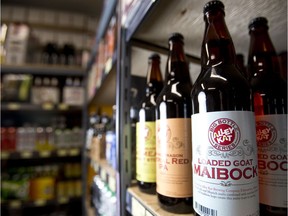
146 129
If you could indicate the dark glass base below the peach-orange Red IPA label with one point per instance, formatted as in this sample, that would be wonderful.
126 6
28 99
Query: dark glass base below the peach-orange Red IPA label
176 205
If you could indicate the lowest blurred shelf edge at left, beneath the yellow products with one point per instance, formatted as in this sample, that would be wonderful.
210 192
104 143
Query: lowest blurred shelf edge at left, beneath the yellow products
16 204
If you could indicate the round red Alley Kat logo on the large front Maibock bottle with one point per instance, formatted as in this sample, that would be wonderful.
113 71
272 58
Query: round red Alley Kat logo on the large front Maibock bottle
224 134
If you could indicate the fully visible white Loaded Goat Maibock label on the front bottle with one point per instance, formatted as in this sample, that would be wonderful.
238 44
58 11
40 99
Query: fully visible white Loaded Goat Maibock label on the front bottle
225 173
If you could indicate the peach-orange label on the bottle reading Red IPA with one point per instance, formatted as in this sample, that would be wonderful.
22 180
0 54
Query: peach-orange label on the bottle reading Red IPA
173 159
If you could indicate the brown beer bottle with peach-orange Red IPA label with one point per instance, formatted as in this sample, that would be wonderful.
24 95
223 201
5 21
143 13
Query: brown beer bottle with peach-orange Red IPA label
173 148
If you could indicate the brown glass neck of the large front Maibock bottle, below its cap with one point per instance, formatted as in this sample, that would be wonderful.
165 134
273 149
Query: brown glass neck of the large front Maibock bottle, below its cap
217 46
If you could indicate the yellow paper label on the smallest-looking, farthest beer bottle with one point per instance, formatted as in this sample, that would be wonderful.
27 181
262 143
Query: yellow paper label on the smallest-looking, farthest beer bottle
146 151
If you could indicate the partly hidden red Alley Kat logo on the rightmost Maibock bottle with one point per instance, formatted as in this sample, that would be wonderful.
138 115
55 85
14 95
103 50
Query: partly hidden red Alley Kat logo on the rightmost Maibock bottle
265 133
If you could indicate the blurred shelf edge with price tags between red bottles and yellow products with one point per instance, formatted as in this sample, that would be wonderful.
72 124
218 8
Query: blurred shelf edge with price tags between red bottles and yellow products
57 153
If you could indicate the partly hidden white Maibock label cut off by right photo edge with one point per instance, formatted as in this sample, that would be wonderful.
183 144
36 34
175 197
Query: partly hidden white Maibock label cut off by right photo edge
271 131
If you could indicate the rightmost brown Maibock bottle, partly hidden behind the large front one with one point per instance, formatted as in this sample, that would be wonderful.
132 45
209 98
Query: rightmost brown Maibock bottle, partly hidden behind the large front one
270 105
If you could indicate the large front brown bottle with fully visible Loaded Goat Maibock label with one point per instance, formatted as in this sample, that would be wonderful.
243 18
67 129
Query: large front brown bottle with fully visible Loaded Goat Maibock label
225 178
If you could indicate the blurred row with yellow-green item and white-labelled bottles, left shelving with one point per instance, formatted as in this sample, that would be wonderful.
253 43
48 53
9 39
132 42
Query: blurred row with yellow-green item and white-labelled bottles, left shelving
40 90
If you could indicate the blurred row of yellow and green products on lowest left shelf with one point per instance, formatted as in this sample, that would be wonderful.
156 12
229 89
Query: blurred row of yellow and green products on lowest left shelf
41 182
